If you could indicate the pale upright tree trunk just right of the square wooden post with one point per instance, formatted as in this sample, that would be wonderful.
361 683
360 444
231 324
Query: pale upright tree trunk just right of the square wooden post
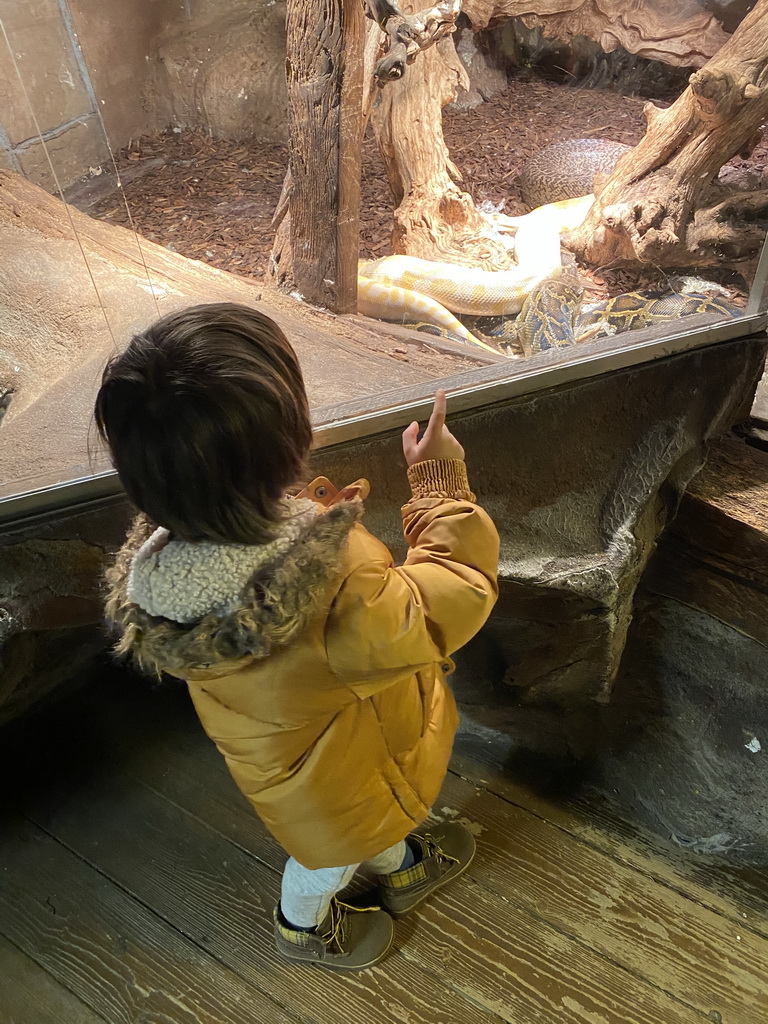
435 220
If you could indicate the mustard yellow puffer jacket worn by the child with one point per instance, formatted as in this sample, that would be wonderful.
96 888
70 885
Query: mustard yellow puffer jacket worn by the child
324 685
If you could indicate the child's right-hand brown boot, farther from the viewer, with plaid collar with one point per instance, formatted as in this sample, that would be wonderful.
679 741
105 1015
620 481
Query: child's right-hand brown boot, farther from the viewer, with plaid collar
447 852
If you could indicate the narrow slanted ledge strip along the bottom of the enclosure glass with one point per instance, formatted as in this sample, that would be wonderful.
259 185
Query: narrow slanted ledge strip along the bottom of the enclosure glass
502 385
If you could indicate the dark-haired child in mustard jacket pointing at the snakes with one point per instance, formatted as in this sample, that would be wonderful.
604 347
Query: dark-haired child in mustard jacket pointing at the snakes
316 666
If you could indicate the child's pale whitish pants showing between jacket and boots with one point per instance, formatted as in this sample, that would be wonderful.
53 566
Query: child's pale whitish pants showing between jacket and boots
307 895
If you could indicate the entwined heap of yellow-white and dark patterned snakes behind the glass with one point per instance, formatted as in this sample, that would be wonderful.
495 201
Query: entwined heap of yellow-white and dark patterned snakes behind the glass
542 294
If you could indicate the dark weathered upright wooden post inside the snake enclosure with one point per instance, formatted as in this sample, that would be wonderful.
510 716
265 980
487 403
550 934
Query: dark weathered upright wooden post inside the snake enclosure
326 40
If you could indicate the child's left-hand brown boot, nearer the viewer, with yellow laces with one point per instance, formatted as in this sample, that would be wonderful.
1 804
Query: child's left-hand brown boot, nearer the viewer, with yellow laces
350 940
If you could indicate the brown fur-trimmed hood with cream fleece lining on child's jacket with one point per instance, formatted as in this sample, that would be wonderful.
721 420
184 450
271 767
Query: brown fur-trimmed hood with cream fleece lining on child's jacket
268 610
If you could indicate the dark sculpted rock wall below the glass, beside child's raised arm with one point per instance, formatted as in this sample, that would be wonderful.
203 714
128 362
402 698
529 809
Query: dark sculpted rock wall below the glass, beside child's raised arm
581 483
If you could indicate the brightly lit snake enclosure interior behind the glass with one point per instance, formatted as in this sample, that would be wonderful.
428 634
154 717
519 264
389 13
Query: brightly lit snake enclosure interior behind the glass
503 219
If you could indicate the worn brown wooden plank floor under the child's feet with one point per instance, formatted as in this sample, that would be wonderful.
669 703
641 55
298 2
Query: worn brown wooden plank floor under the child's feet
137 887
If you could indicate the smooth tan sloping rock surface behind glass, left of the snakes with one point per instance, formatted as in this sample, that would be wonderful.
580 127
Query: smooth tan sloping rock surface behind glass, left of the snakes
76 289
